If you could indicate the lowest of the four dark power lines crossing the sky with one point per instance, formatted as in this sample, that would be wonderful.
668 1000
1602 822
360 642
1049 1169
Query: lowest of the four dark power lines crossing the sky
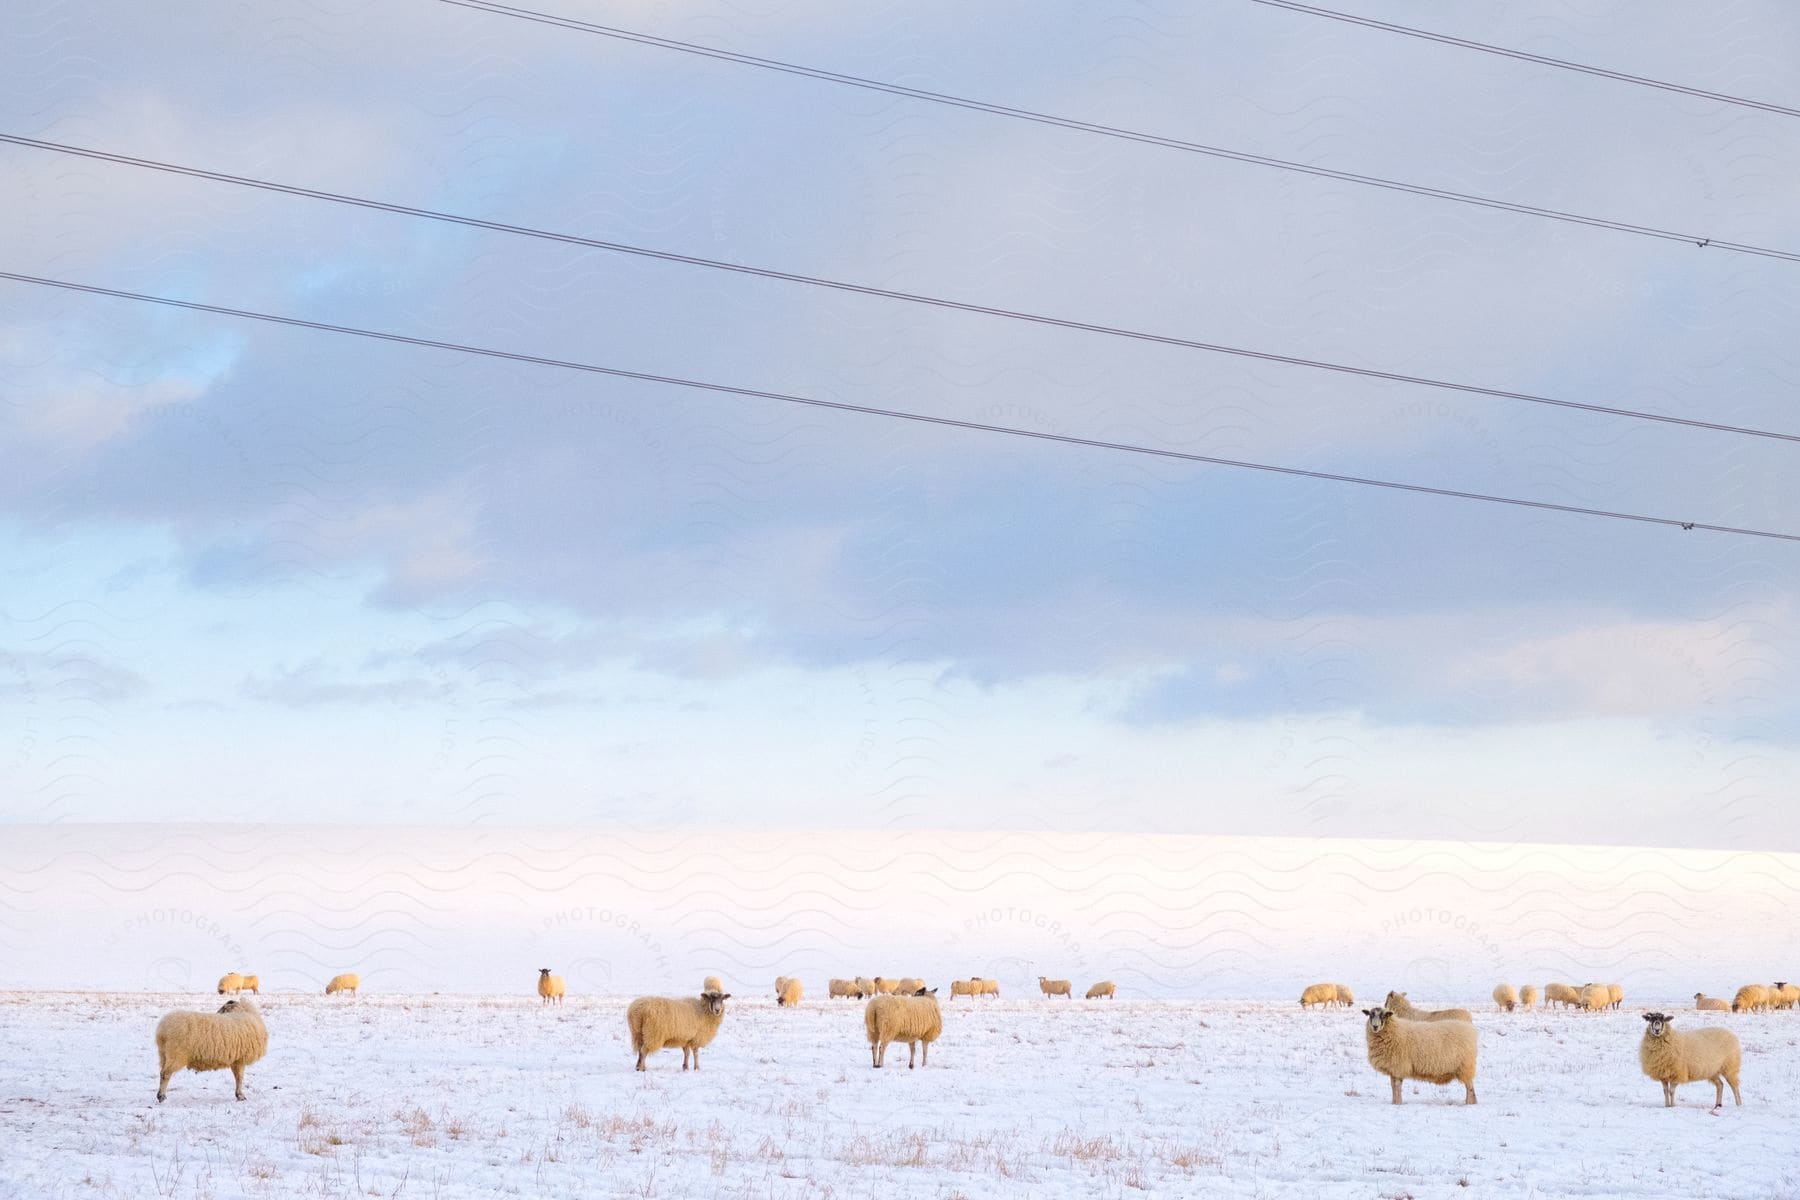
894 415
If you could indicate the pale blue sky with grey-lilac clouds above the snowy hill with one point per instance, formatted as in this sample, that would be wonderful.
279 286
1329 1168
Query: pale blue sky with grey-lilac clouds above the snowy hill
271 575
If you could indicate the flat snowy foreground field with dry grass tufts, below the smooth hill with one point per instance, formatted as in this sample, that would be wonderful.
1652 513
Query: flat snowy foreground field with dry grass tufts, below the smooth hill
440 1097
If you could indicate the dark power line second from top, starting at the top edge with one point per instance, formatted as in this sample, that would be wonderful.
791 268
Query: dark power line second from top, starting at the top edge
1129 136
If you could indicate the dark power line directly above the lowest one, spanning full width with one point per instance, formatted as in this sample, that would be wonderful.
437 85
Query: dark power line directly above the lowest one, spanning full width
886 294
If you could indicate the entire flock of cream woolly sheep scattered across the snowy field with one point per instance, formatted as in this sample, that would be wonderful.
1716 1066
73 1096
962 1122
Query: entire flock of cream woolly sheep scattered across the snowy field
1405 1043
